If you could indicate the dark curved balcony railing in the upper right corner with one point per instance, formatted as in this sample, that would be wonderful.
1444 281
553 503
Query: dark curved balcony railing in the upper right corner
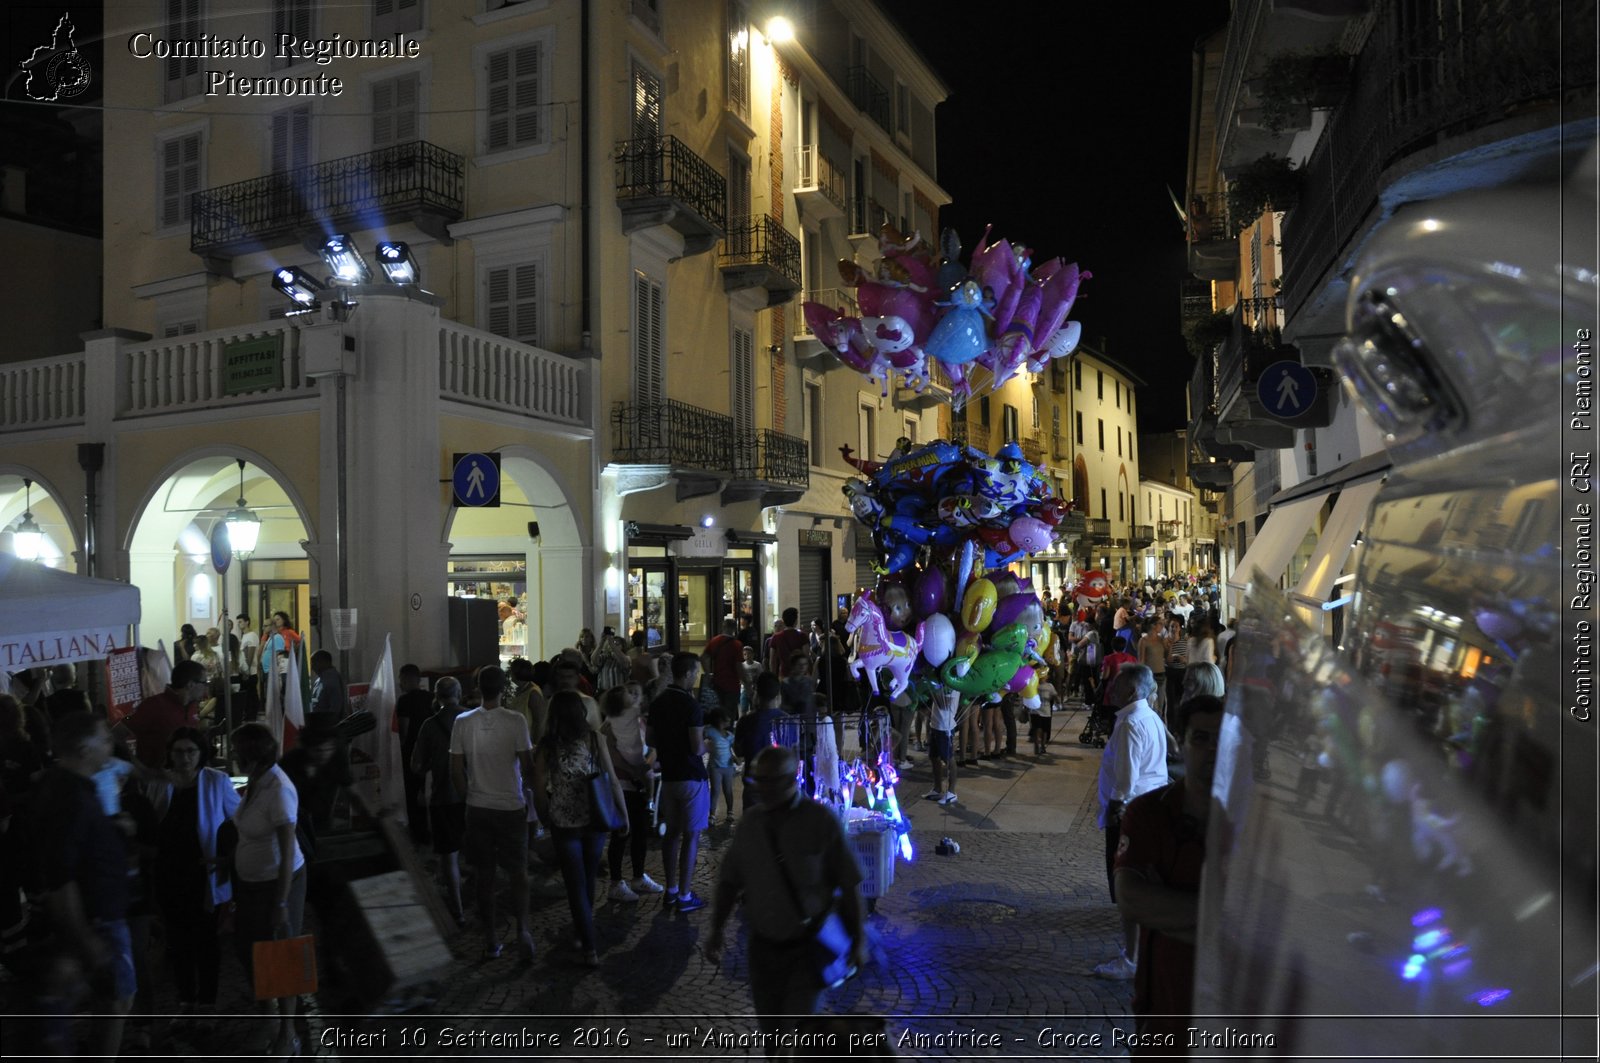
1423 78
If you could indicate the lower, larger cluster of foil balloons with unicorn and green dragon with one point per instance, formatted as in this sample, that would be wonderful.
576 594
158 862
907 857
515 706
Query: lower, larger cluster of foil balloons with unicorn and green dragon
946 521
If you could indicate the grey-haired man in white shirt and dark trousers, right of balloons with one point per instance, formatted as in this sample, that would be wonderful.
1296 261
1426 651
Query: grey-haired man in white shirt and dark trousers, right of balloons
1135 763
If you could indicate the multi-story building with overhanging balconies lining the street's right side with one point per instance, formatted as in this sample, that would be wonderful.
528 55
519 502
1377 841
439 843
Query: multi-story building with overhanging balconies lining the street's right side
1311 126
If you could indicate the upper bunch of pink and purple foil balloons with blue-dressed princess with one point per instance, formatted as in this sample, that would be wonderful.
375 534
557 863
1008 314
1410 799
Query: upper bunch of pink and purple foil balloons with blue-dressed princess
1001 313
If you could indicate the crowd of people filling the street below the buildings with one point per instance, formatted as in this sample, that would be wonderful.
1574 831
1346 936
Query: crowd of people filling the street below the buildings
132 844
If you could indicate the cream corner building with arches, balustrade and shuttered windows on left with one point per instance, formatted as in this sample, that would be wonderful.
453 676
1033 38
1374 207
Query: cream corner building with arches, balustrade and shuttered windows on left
612 211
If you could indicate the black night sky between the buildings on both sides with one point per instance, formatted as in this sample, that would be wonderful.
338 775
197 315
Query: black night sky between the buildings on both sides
1065 127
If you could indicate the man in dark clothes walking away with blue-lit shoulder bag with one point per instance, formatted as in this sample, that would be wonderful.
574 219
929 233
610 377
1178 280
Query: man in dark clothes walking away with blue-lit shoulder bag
801 884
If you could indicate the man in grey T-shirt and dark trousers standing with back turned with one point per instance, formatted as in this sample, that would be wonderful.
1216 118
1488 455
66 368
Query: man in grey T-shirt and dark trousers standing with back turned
492 763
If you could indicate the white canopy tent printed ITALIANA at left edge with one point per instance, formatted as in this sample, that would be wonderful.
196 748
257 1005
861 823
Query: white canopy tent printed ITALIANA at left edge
52 617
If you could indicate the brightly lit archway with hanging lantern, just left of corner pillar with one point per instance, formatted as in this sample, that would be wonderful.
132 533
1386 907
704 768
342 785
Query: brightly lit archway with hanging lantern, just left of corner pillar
169 539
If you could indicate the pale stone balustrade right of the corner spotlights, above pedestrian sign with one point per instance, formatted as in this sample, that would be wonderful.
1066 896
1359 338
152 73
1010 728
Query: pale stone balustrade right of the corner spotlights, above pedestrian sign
494 372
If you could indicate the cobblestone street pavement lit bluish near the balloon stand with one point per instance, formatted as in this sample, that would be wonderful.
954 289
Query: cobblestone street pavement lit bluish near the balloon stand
985 953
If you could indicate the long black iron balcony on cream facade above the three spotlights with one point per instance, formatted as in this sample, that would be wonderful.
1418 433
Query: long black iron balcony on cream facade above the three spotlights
418 183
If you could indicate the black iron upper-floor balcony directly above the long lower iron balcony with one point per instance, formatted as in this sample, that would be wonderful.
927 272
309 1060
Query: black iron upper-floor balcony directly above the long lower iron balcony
660 182
